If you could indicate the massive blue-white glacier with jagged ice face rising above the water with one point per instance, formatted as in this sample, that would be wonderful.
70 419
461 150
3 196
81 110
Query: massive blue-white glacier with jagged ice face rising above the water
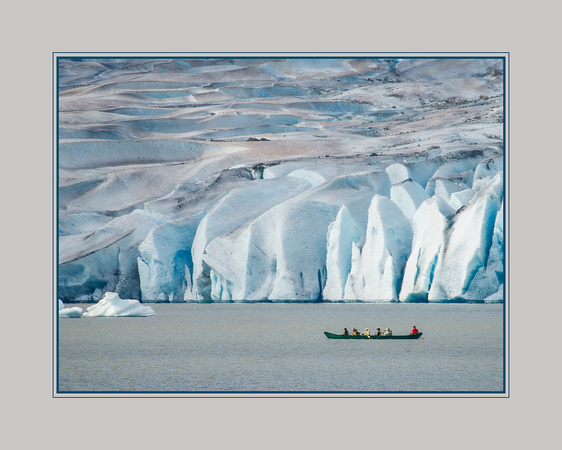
286 179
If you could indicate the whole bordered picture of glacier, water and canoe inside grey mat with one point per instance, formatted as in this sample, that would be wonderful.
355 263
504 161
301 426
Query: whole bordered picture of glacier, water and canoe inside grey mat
279 225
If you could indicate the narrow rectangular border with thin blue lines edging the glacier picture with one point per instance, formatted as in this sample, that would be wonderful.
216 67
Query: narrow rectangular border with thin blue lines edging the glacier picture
275 394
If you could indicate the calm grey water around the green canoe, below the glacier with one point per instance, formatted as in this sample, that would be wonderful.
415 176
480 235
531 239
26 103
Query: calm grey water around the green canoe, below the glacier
281 347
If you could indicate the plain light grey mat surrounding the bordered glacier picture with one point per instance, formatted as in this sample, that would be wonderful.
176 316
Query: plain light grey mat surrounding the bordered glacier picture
32 418
